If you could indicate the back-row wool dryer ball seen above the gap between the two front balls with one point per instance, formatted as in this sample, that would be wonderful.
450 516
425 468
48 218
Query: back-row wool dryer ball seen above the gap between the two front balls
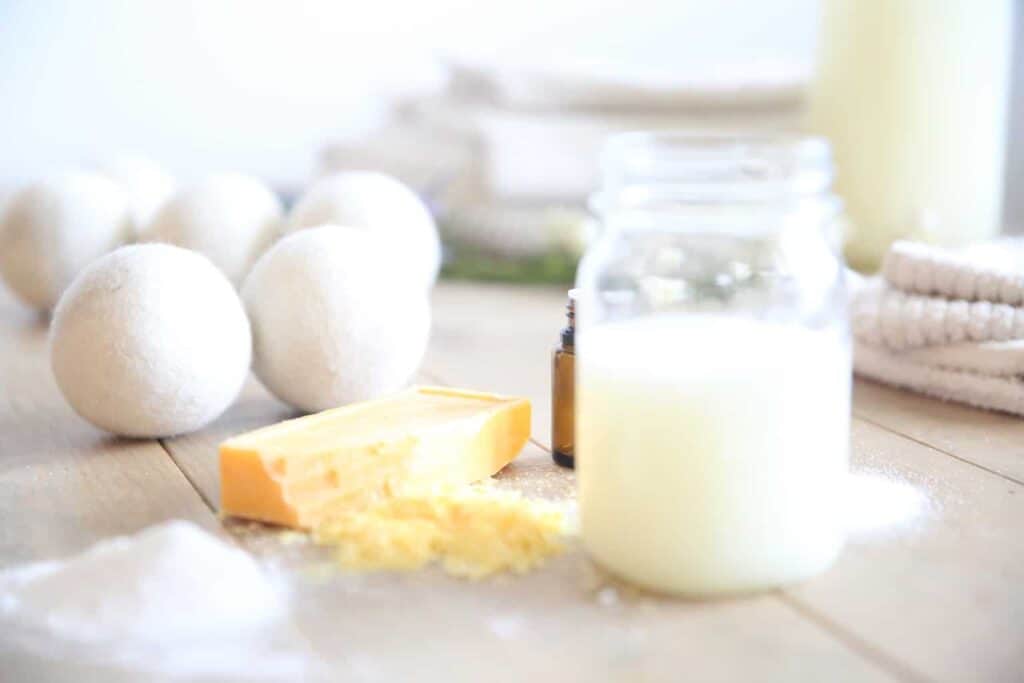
232 219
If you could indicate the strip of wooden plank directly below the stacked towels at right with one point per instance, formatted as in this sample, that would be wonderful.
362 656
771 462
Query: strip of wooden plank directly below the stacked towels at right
993 441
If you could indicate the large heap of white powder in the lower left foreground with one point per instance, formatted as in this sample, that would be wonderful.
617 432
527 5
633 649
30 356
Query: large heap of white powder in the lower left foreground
172 599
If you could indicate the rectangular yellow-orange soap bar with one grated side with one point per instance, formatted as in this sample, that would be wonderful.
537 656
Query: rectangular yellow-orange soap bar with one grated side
301 472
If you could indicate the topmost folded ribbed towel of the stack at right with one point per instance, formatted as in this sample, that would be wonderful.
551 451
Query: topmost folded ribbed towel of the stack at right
925 270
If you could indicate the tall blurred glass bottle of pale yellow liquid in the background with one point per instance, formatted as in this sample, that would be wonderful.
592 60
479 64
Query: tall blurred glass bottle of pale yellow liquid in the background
913 96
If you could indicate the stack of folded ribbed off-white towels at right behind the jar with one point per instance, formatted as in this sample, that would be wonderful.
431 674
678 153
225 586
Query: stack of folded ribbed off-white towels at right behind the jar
947 324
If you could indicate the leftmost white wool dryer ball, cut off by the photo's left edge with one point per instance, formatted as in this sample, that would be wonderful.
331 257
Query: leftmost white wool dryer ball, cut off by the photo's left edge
53 230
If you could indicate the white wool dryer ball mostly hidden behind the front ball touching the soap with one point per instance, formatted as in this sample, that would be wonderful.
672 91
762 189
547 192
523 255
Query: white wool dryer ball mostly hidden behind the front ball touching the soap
379 203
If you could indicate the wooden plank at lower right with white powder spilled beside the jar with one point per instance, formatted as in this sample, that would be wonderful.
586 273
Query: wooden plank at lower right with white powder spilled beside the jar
937 588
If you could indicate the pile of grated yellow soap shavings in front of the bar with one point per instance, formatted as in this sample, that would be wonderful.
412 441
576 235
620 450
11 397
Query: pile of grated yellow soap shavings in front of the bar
473 532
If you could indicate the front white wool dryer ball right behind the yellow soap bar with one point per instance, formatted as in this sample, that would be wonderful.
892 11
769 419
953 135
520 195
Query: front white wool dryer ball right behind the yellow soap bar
330 327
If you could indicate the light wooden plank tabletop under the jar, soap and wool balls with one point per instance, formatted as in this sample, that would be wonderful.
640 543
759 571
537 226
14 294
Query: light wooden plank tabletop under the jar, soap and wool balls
930 587
